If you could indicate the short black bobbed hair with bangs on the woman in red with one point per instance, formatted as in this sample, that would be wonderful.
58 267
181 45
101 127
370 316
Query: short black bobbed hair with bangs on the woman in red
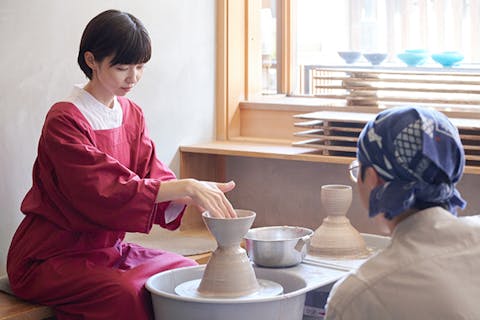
118 34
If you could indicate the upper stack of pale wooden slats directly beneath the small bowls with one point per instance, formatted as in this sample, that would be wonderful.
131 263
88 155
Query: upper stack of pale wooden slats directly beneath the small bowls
373 86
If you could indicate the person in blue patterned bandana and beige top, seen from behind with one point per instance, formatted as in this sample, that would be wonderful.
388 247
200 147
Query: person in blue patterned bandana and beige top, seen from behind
409 162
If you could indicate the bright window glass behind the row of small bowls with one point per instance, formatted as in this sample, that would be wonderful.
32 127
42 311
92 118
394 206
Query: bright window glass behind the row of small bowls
321 28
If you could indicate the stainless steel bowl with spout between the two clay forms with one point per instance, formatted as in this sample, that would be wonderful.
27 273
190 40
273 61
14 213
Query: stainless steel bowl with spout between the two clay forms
278 246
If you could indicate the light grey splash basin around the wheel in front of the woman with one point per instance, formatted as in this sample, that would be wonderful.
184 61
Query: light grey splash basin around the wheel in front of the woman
287 306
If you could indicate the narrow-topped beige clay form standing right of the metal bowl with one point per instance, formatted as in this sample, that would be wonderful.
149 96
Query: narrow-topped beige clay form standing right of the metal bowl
336 237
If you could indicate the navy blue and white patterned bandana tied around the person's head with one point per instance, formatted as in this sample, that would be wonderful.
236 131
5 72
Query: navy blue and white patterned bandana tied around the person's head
419 154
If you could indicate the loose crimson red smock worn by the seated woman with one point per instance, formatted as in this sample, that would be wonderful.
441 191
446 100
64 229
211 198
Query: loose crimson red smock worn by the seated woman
89 188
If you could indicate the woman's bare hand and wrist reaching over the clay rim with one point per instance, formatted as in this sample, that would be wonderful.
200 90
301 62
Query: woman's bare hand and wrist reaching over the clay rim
208 196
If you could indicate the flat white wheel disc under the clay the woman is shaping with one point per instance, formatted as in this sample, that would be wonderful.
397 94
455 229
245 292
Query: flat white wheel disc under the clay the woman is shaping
267 289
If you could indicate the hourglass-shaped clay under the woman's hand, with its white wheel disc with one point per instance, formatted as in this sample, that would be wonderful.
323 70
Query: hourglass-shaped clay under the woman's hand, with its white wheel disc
229 272
